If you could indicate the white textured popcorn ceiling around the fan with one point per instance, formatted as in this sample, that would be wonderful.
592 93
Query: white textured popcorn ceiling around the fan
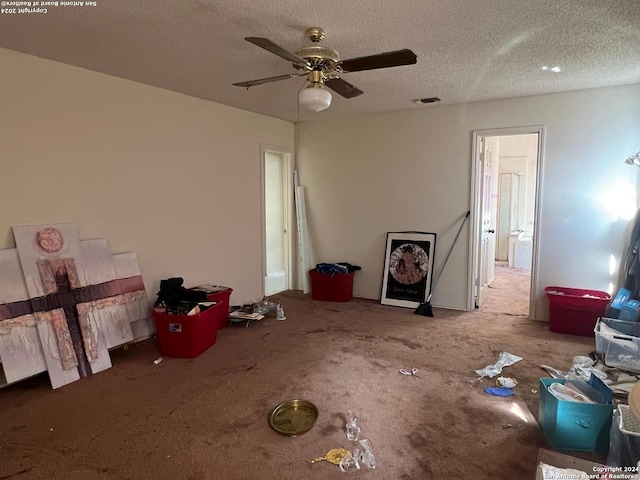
468 50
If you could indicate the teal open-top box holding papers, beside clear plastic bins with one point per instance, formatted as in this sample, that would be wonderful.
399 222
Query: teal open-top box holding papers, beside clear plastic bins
572 425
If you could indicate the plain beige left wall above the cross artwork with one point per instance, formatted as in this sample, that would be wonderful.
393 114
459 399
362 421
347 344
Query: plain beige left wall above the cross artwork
173 178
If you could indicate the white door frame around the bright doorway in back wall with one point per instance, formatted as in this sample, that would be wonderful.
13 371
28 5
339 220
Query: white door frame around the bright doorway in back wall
476 203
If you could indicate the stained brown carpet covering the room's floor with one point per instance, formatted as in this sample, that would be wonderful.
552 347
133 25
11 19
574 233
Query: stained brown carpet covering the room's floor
206 418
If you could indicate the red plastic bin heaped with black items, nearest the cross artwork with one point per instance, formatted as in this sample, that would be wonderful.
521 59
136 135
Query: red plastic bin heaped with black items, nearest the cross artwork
187 336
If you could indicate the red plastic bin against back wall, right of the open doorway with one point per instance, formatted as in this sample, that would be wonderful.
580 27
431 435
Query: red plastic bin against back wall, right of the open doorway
575 311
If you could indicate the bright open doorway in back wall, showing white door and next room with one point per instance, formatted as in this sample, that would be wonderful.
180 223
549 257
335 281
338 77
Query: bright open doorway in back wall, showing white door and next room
507 170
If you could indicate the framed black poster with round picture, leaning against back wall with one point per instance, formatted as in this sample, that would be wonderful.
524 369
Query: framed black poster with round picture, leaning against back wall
408 266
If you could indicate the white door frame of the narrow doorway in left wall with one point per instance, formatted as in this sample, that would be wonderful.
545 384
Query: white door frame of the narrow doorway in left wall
287 157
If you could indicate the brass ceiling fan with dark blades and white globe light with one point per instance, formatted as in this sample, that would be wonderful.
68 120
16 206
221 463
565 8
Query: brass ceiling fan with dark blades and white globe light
322 66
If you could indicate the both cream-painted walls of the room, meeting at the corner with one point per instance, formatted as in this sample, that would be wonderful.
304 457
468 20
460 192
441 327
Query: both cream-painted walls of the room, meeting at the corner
177 179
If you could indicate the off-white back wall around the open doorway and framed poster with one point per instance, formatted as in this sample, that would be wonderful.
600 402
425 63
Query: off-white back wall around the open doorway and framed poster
411 170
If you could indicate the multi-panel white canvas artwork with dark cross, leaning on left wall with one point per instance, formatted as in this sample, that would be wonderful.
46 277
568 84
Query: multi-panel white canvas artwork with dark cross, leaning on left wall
64 303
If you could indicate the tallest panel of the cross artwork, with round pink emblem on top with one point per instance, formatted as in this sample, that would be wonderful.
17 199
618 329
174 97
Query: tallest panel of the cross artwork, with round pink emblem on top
55 272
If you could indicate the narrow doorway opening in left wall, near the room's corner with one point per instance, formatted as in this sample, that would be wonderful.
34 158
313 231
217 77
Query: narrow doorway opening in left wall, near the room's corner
277 199
